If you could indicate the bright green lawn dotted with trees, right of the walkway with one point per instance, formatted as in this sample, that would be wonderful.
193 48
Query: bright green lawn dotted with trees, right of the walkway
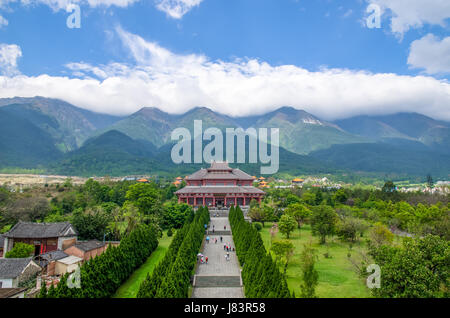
337 278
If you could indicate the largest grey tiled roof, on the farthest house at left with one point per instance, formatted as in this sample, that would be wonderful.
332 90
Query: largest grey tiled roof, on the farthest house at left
39 230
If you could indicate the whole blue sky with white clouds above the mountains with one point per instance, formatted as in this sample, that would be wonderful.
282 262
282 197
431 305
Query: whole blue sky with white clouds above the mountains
318 37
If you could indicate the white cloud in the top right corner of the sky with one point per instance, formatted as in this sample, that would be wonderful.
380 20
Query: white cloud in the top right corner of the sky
407 14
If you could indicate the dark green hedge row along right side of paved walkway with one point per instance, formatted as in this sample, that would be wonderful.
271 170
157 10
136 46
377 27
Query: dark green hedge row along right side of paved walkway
260 274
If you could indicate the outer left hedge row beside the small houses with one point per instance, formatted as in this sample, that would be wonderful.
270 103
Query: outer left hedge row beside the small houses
101 276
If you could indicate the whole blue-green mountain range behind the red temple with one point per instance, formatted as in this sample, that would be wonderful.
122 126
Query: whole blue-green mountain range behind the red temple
58 137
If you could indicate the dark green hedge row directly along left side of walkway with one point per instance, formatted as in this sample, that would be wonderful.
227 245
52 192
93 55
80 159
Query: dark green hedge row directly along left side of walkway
172 277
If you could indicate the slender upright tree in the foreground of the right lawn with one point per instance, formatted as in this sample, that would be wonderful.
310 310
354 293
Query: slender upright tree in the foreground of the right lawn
310 276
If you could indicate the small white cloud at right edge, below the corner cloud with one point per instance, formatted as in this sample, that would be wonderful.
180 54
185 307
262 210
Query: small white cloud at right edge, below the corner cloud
431 54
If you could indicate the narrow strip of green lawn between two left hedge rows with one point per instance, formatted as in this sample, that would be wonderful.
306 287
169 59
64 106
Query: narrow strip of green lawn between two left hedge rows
130 288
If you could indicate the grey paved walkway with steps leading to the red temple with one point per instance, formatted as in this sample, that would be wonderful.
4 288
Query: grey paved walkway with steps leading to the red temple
220 278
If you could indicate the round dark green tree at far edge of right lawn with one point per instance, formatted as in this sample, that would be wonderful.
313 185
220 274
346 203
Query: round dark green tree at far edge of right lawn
323 221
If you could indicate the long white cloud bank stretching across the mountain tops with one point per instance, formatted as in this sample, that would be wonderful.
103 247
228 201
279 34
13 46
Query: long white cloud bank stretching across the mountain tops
176 83
